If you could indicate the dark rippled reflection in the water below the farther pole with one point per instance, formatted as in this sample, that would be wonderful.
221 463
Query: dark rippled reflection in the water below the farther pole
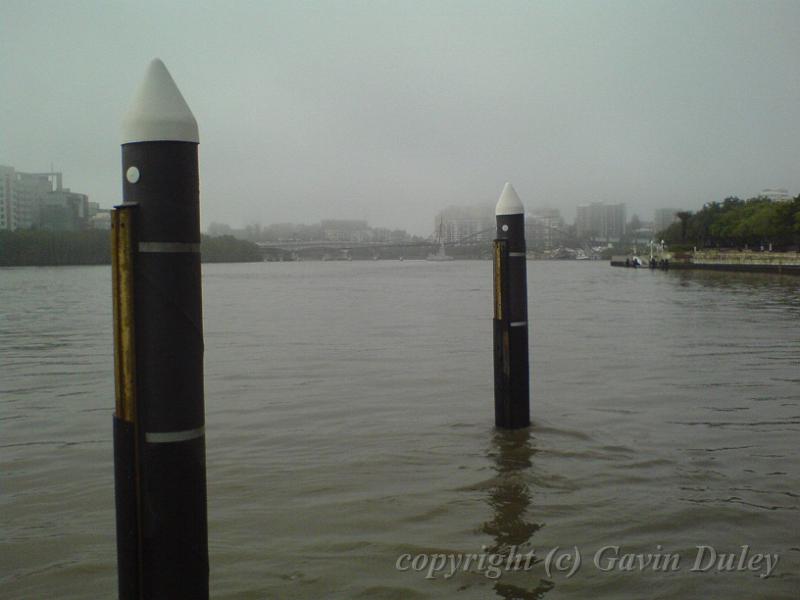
510 500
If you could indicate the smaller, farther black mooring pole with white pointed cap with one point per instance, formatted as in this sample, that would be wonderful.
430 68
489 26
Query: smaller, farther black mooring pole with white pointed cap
511 379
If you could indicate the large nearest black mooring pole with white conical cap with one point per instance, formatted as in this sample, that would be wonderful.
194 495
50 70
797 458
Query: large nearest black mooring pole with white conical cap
159 439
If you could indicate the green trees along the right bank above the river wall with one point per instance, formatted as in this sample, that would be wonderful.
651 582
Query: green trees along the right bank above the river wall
735 223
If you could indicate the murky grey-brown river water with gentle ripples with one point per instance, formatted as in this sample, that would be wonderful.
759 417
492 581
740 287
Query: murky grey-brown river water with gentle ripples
350 432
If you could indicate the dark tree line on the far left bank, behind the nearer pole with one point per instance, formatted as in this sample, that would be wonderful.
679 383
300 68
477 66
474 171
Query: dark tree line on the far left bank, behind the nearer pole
29 247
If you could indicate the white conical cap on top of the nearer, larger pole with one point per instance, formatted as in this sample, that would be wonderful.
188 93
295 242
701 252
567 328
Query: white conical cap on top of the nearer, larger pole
158 111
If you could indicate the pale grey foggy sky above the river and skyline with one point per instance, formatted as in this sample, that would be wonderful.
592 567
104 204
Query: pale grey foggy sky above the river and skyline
390 111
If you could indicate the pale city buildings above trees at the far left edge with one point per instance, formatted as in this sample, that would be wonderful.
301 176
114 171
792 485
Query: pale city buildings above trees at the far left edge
38 200
